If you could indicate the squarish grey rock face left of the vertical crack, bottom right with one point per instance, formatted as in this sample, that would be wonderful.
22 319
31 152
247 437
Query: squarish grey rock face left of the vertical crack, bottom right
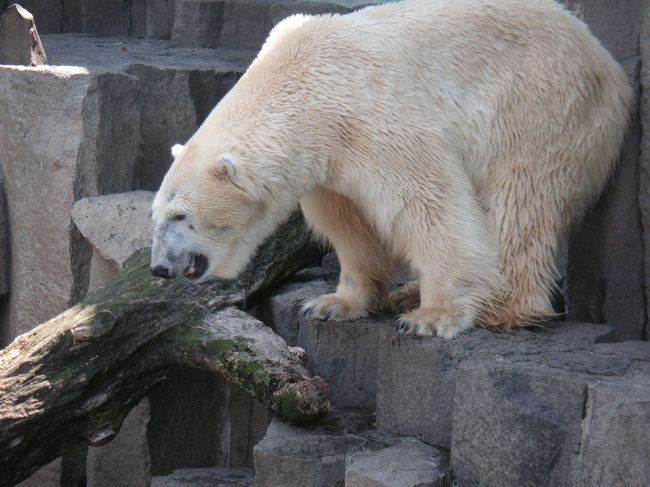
512 423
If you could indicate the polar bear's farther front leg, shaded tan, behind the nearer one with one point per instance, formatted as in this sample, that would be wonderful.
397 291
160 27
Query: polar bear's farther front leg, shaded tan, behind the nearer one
366 269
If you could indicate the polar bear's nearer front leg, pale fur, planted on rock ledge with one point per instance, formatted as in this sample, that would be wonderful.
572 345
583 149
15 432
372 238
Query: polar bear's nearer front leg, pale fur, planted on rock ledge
448 242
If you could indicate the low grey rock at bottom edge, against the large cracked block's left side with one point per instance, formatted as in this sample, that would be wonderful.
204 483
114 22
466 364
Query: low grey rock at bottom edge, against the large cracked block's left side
410 463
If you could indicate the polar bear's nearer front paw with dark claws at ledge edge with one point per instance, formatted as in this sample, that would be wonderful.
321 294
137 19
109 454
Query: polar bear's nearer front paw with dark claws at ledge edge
443 322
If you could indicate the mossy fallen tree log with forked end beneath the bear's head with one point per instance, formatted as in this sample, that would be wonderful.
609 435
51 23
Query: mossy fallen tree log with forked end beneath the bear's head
75 377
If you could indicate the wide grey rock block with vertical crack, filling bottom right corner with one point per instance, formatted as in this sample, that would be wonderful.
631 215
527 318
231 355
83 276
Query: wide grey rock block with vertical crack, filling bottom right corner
569 417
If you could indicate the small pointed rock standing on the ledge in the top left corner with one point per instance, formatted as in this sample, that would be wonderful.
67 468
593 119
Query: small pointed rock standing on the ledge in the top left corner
19 39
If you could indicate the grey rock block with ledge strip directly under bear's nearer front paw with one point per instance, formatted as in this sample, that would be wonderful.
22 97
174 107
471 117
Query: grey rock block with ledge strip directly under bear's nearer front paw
418 376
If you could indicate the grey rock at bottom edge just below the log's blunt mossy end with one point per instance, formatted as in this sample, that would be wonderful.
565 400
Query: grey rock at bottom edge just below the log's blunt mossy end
290 456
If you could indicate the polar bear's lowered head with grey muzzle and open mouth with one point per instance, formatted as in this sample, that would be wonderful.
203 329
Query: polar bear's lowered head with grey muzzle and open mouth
207 220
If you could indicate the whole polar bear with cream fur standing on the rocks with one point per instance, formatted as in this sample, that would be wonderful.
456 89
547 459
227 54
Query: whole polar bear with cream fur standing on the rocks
456 139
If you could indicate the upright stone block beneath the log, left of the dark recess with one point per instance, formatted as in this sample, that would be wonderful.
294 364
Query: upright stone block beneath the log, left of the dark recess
125 460
